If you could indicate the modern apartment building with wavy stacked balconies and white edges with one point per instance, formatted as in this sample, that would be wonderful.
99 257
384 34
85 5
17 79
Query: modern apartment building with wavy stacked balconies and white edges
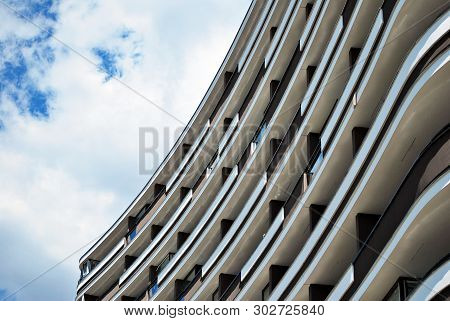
316 167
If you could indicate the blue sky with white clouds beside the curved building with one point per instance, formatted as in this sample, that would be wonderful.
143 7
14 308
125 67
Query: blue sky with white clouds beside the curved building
69 123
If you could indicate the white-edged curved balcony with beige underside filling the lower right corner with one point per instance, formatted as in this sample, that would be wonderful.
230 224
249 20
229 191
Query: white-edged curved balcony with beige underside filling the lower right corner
432 204
